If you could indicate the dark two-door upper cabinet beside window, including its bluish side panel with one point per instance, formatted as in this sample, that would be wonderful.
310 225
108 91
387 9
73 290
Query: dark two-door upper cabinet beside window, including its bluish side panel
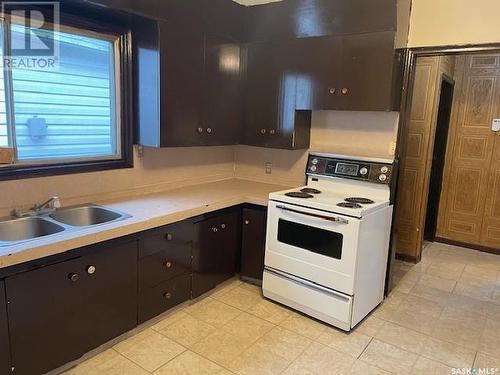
188 86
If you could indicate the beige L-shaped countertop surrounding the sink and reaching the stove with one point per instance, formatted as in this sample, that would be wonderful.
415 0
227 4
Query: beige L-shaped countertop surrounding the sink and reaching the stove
147 211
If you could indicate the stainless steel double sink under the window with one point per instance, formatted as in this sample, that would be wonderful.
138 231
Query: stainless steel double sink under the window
15 231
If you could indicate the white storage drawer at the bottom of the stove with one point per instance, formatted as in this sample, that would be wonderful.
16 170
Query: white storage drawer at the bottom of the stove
321 303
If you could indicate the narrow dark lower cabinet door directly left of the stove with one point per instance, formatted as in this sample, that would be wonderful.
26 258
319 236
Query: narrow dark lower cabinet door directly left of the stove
253 242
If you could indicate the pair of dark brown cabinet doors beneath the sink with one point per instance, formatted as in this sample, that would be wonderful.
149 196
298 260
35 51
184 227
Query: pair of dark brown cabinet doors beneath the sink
59 312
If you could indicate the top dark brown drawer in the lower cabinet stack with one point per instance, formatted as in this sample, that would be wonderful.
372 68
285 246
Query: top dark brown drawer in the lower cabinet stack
165 237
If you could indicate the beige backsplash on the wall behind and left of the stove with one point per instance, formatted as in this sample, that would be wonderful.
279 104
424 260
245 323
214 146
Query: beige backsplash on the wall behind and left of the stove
341 132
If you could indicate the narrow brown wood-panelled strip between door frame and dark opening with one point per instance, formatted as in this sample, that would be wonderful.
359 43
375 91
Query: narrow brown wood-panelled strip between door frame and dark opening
416 165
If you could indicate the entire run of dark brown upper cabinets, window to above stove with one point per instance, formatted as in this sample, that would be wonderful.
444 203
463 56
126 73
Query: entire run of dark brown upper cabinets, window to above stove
222 74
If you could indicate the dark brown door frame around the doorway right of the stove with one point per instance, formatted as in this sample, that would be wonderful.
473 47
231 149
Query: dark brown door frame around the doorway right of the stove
408 71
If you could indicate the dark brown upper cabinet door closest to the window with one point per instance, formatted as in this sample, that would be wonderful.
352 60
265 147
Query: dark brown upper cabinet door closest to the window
181 83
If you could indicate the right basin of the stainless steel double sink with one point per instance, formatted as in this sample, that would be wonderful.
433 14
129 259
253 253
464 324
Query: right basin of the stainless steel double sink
86 216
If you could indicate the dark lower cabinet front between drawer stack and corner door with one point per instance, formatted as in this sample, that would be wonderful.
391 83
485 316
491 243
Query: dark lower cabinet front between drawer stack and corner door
215 249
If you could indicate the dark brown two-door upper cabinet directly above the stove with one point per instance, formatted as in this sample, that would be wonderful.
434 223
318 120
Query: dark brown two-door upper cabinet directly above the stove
354 72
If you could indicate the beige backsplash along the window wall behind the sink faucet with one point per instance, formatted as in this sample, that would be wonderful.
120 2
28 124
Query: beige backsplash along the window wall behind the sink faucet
158 169
